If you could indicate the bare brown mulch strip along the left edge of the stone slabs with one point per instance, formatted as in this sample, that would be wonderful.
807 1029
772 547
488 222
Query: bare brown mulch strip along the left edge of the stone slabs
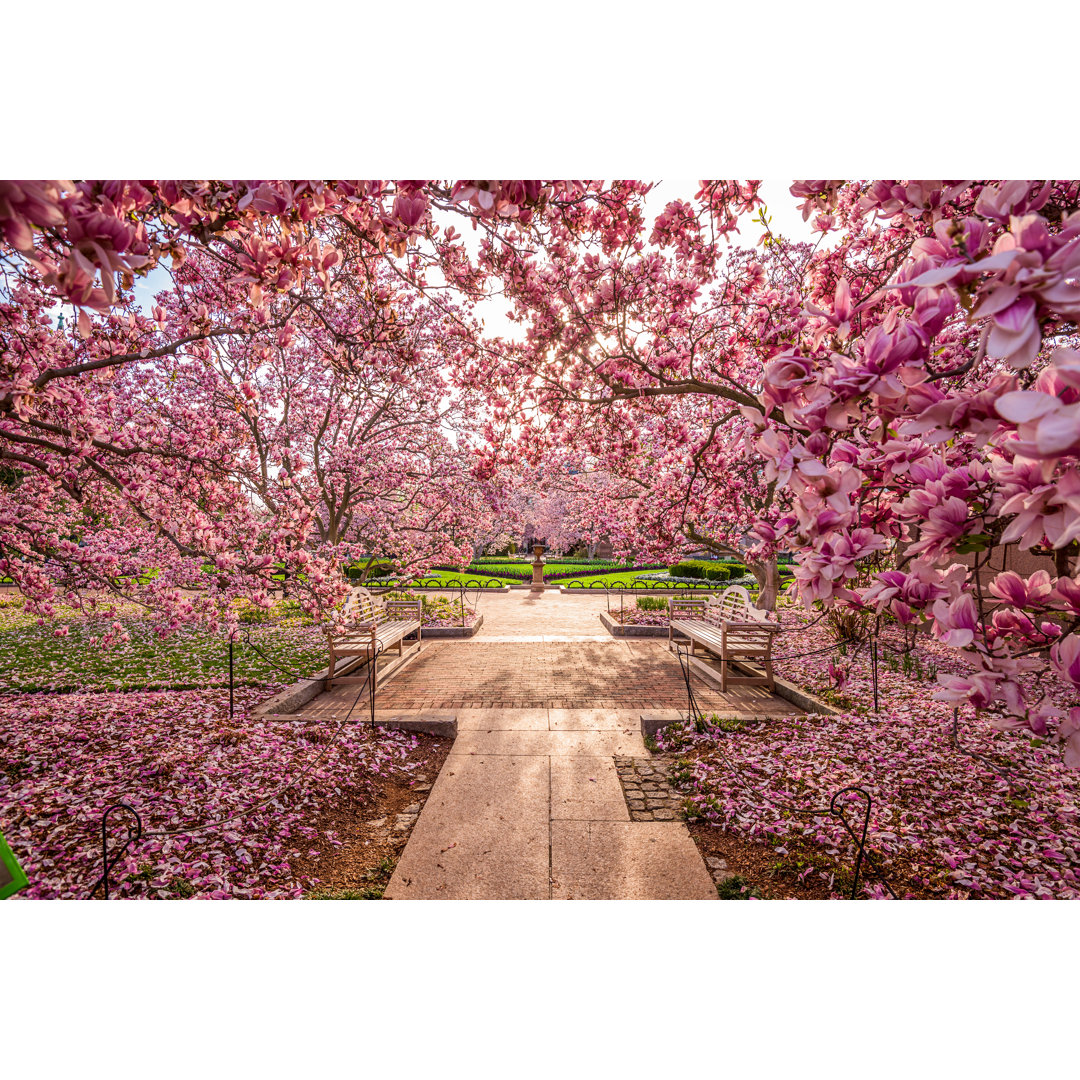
369 844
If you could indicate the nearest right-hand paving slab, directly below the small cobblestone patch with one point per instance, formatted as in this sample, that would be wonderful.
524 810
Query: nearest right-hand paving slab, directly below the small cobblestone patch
627 861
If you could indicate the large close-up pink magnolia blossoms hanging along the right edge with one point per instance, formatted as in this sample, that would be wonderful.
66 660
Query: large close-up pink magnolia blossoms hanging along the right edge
929 410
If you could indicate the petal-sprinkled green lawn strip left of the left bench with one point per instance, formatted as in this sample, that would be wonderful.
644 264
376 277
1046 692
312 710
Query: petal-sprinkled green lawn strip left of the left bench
33 659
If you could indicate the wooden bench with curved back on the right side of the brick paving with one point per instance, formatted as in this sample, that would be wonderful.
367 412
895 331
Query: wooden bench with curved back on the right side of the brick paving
730 627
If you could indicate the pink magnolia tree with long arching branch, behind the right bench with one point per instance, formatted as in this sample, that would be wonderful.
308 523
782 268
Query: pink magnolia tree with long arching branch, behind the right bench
643 350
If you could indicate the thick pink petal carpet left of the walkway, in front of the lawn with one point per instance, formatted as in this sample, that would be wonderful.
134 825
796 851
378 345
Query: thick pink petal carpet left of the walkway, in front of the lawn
226 806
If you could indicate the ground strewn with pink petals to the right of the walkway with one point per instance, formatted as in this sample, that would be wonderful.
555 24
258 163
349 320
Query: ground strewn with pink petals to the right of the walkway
988 815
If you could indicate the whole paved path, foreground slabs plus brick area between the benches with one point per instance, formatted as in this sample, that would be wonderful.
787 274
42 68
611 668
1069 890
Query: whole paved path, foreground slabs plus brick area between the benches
530 804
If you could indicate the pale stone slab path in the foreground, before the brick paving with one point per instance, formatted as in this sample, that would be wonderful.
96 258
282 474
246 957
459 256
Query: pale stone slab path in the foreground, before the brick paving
529 806
